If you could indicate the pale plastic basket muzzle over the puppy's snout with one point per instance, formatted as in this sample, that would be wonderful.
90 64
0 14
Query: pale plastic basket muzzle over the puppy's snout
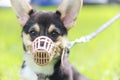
43 50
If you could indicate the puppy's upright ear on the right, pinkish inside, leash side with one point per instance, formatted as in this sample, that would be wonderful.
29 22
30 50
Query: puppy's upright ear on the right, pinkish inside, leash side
69 10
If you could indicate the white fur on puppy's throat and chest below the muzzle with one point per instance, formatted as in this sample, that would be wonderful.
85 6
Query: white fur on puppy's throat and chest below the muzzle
46 70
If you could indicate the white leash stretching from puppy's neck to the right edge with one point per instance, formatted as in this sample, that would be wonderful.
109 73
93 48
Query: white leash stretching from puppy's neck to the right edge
87 38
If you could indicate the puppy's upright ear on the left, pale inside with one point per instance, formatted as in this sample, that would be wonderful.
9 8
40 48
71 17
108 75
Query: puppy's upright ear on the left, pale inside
22 9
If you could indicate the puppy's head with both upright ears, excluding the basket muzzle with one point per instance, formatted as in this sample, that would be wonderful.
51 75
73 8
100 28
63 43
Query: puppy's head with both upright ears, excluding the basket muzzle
53 25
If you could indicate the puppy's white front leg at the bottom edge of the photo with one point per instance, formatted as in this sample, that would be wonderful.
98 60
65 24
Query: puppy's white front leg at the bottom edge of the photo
27 74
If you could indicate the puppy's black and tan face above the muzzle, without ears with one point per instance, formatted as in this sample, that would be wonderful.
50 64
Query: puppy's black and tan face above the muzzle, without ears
44 24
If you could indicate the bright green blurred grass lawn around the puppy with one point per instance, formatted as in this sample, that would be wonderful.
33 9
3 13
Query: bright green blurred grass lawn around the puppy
98 60
